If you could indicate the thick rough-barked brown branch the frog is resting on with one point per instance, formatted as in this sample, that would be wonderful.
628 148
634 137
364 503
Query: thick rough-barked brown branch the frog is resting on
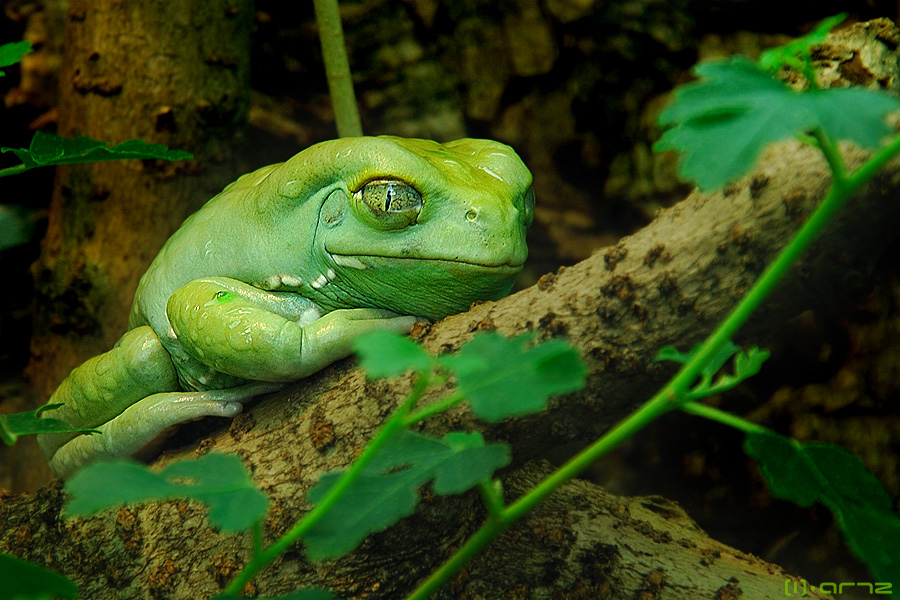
670 283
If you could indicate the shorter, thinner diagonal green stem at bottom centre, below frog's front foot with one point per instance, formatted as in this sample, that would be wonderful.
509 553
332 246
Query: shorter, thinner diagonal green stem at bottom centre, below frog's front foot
392 426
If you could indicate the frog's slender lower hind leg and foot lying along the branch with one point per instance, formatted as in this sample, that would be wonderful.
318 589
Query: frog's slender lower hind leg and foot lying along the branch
140 425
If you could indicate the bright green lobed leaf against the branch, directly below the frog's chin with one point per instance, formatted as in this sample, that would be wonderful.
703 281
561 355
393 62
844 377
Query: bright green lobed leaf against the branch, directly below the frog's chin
503 378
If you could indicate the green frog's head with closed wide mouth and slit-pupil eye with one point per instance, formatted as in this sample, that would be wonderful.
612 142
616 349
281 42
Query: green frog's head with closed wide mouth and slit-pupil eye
418 227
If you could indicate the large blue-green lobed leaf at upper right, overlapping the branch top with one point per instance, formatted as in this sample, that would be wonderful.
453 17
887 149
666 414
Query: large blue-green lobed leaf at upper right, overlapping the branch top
721 123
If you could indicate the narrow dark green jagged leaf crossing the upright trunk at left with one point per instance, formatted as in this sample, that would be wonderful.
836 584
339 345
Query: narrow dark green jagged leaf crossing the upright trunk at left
49 149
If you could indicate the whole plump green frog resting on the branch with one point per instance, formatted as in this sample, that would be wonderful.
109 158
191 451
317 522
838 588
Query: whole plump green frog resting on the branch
275 277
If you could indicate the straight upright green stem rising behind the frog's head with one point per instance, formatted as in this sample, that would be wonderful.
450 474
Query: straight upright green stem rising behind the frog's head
337 68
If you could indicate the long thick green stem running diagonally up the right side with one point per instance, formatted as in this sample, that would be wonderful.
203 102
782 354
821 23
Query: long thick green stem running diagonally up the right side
672 395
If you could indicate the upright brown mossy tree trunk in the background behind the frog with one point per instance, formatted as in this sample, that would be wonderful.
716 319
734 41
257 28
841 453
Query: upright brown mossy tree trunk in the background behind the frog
169 73
